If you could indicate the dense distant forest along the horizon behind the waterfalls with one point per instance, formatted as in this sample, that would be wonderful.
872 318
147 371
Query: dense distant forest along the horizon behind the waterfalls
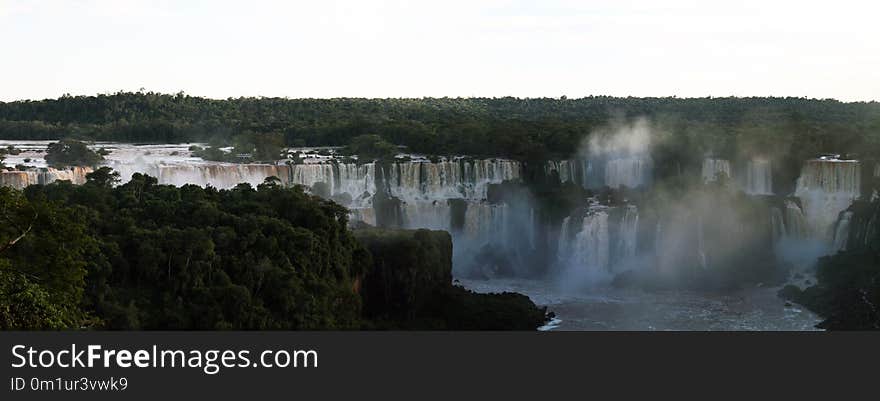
511 127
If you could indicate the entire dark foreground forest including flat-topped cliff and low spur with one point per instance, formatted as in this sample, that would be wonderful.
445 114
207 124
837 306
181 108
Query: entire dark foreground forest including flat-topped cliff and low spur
147 256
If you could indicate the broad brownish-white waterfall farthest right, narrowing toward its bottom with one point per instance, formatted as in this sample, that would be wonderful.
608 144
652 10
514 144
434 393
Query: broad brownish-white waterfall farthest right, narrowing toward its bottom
825 188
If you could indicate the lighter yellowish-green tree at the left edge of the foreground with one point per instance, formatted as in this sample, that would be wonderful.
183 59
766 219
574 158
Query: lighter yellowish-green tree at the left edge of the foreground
43 258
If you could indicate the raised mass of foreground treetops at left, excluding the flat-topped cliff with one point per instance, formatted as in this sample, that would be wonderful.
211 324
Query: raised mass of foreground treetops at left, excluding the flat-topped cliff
148 256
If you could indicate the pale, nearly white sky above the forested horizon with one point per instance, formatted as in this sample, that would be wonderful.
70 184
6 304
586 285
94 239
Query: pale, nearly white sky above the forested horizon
456 48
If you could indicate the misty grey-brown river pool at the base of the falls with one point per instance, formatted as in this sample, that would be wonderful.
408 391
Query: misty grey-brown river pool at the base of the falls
606 308
